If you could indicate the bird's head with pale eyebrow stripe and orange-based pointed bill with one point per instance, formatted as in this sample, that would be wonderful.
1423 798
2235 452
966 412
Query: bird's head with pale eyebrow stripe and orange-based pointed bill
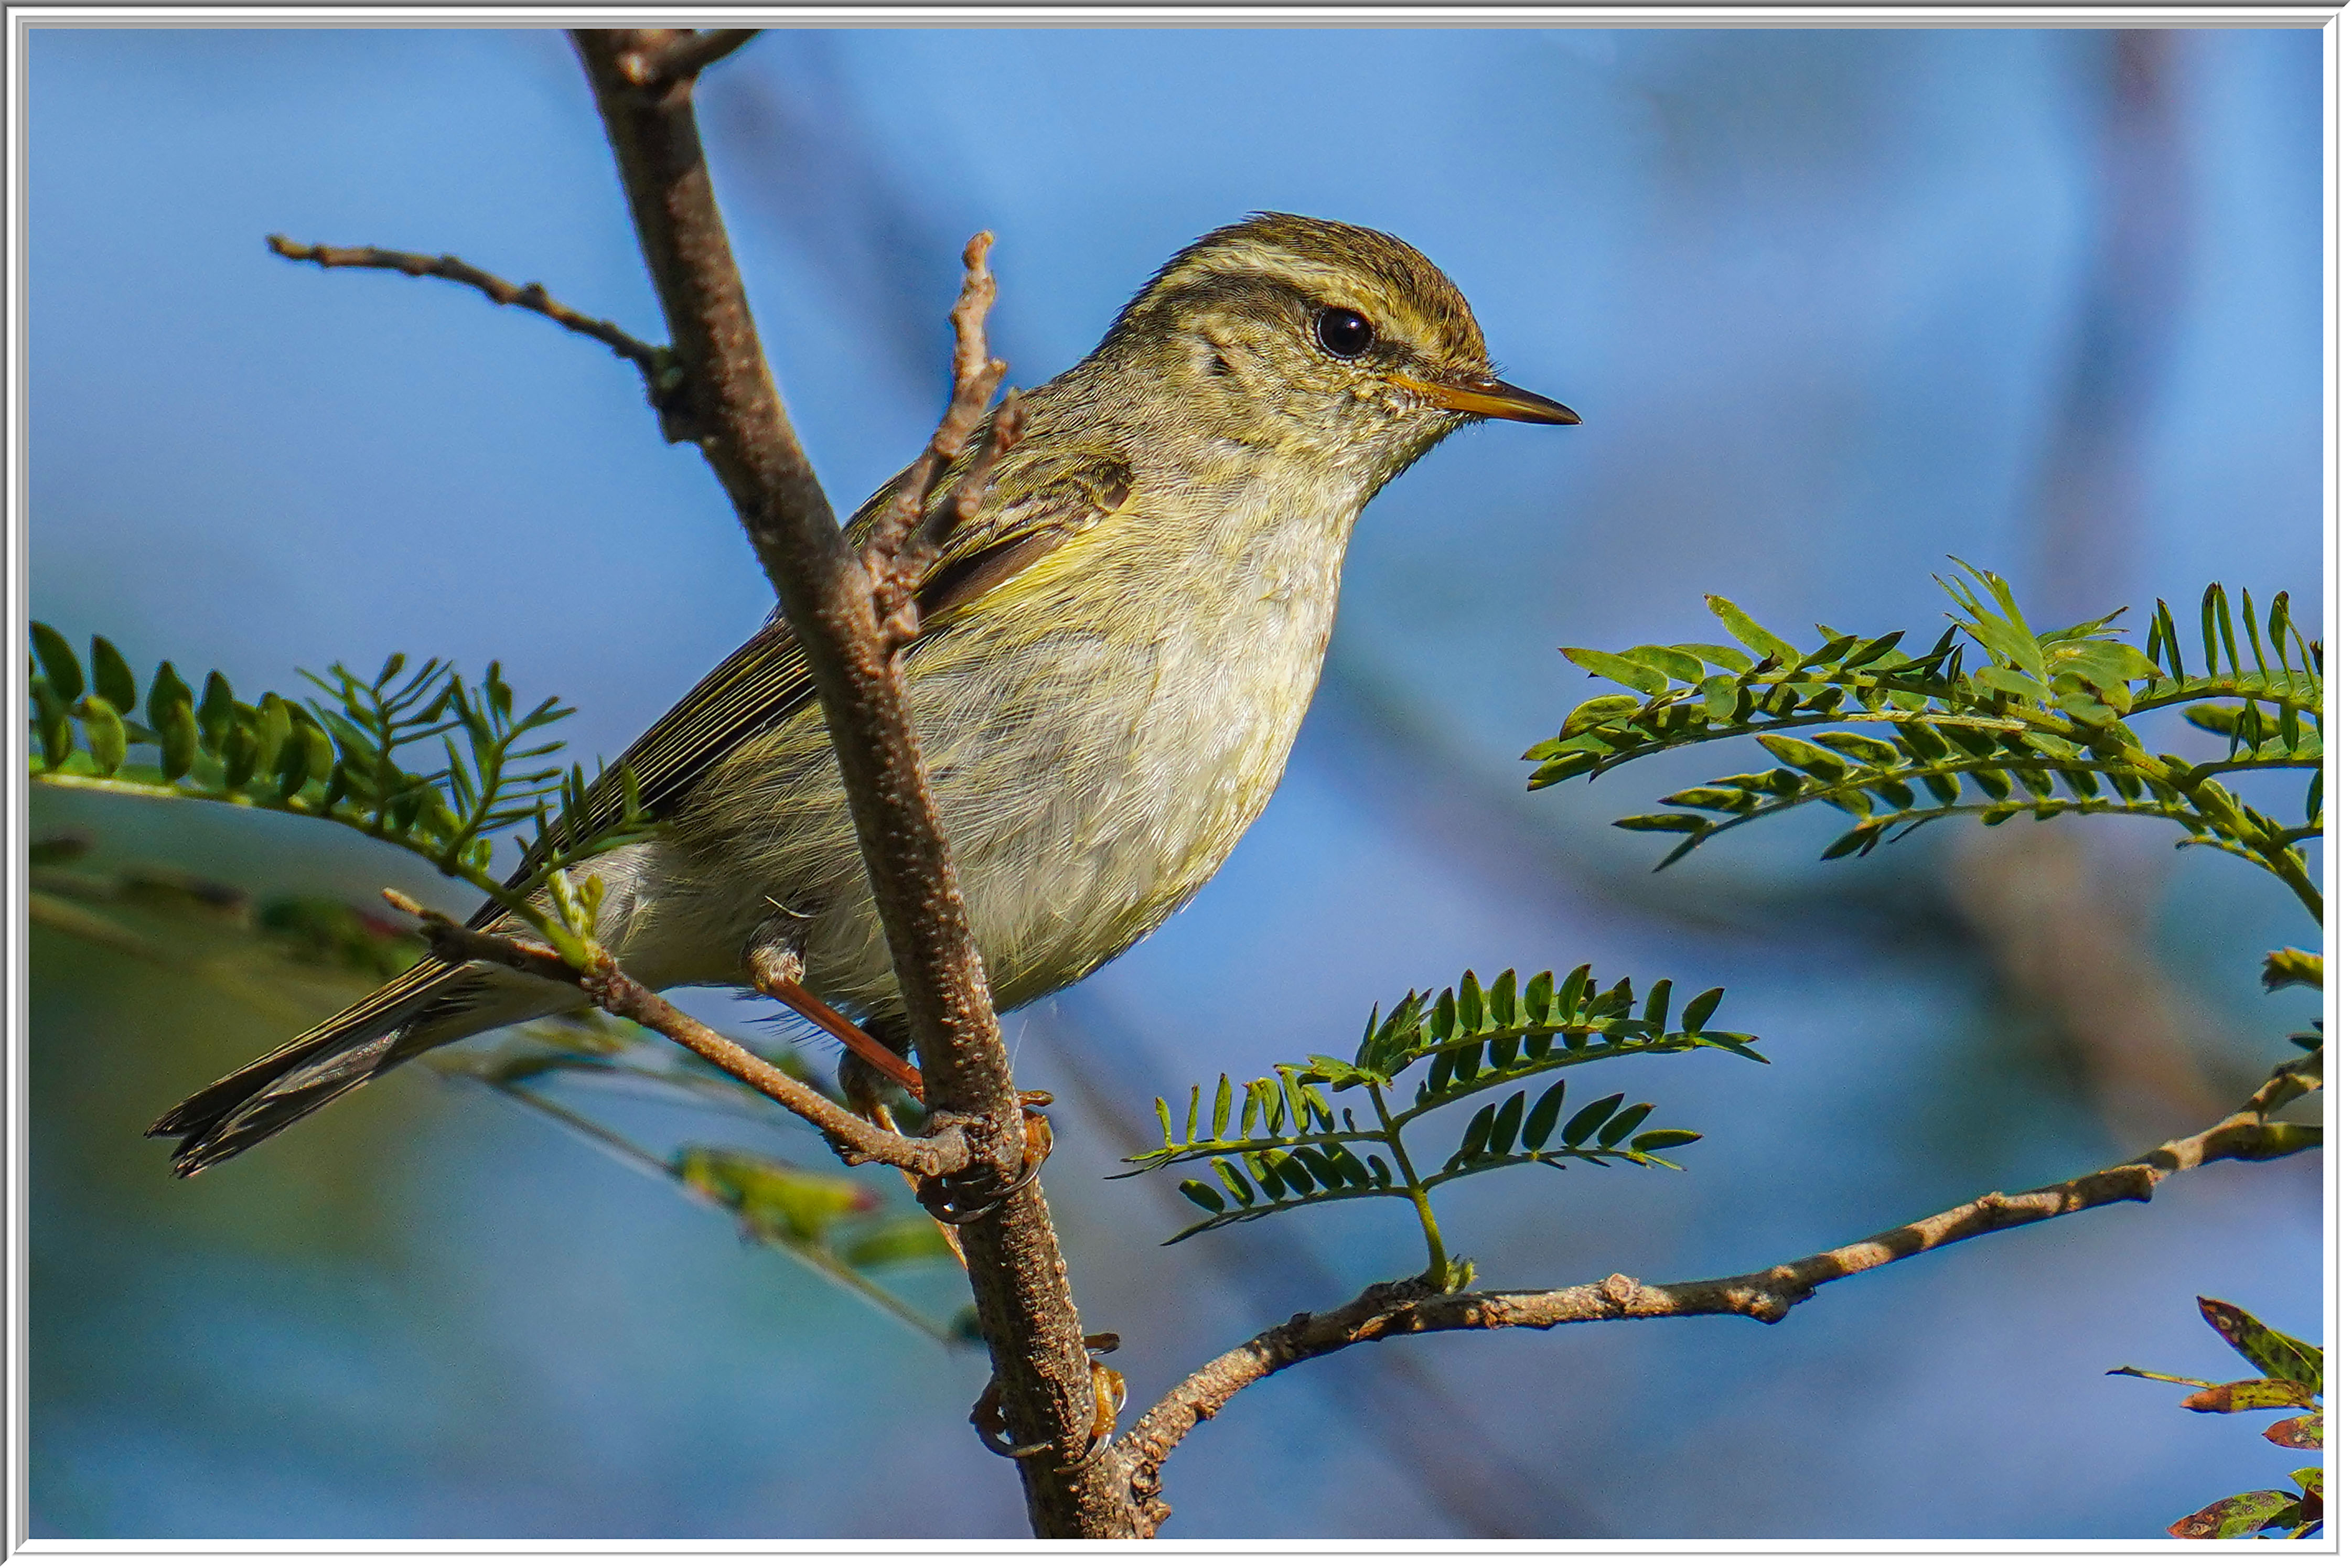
1318 340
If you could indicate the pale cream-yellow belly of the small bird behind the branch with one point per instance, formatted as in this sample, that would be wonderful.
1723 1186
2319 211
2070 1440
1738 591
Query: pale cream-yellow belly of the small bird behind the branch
1090 779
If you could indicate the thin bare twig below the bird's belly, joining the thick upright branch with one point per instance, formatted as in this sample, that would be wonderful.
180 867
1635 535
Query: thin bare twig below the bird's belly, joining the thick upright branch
624 998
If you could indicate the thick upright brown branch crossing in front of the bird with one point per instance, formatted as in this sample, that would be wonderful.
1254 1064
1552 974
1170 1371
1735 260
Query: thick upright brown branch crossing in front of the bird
1017 1273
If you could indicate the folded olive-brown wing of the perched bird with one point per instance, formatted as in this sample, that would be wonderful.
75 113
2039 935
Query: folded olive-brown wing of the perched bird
768 681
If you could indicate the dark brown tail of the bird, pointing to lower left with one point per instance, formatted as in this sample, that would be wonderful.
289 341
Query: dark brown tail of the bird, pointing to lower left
302 1076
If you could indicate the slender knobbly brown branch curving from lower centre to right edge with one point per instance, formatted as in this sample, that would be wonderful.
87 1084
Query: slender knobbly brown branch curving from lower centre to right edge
1410 1306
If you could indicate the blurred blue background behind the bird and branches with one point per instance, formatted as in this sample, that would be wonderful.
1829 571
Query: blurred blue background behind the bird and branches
1833 307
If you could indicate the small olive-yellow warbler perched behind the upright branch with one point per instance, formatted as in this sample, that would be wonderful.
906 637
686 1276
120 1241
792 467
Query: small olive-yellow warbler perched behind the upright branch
1114 659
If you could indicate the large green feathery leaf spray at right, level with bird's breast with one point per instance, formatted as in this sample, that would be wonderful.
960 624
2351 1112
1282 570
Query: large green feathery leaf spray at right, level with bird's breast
2036 728
